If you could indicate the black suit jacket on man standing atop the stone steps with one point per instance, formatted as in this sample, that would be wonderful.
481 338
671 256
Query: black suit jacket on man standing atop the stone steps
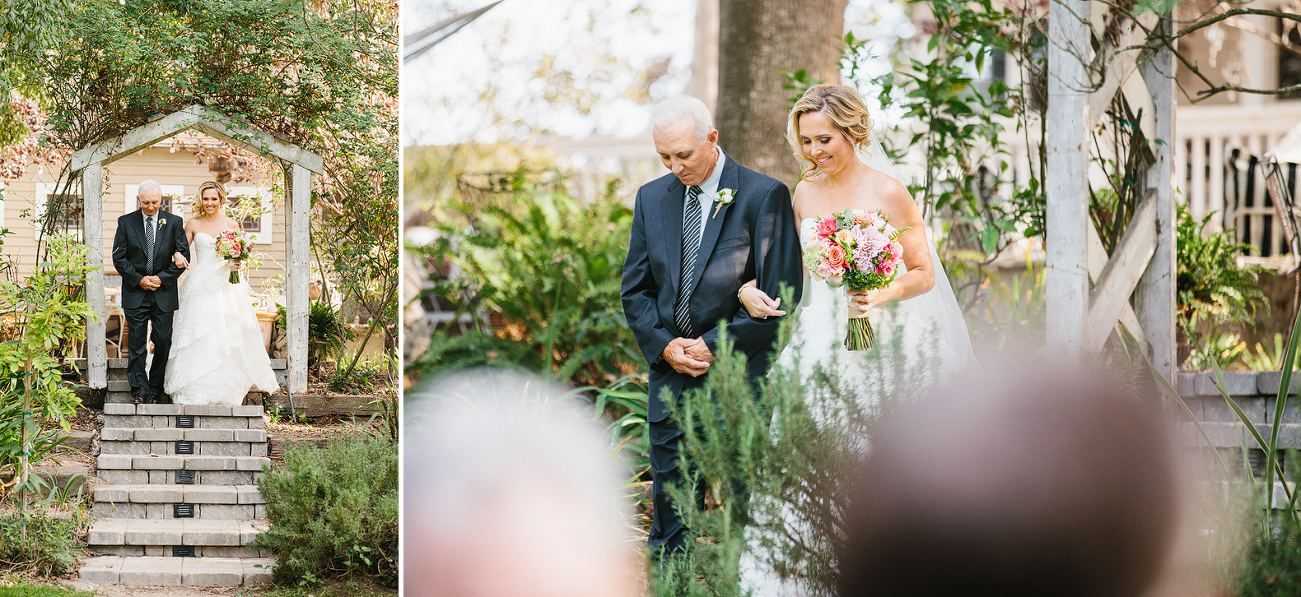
129 258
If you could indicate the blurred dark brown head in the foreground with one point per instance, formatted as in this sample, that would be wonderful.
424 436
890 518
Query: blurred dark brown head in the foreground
1031 481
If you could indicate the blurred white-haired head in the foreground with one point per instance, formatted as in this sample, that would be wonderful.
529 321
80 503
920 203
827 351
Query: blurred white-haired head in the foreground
511 491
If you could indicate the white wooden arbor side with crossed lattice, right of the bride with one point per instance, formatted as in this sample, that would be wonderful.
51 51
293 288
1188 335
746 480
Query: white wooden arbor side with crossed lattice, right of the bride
1088 291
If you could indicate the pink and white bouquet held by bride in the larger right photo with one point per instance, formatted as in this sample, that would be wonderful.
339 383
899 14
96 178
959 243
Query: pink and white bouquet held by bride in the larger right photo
859 252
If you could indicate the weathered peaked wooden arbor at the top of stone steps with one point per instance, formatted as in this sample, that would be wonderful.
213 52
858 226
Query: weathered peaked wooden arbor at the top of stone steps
300 165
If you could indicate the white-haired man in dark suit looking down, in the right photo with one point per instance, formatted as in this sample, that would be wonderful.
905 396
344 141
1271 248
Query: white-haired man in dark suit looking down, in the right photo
698 236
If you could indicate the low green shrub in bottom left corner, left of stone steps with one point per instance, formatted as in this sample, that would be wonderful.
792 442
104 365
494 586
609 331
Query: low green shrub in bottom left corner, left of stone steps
50 548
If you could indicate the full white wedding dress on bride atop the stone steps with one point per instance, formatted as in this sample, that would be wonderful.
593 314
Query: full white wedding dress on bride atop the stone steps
218 353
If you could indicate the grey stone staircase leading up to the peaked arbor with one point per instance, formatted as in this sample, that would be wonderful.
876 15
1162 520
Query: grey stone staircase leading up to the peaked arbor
179 500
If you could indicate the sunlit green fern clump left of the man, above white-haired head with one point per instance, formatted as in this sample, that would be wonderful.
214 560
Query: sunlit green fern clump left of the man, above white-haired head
551 267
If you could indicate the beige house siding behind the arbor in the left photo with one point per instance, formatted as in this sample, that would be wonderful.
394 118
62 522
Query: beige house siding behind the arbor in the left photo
178 170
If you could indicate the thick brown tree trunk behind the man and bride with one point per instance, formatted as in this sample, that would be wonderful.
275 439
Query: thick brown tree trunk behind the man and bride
758 41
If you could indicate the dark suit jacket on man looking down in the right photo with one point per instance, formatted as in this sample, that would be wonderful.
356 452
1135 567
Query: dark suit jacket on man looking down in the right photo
754 237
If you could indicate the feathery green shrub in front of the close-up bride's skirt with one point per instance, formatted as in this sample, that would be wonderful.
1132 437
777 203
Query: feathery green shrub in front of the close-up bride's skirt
775 464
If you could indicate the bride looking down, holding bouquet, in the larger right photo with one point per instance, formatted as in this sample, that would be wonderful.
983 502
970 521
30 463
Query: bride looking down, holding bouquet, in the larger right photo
918 314
